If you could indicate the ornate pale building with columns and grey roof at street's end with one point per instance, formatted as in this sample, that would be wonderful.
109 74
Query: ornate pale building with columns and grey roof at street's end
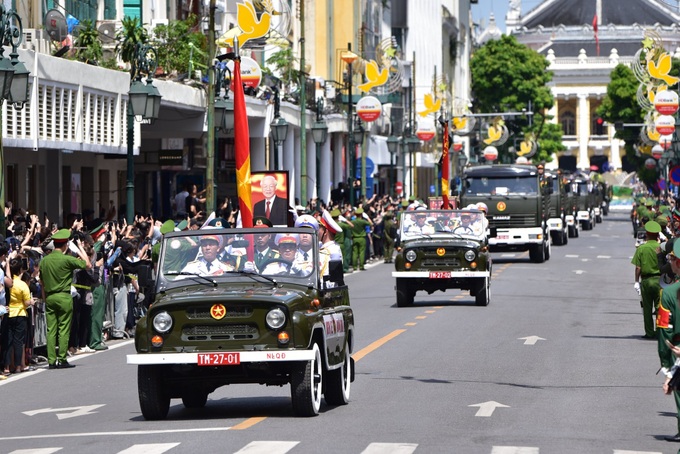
584 40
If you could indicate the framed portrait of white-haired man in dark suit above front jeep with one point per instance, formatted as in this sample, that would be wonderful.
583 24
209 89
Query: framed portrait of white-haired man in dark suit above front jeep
270 196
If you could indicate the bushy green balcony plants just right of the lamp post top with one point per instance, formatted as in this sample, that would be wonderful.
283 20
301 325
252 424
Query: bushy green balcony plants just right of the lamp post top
174 42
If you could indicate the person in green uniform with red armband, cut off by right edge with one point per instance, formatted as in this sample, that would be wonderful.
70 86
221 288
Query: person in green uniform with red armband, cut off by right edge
668 328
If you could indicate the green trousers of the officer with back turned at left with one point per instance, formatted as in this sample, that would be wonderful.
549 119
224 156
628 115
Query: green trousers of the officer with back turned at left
59 314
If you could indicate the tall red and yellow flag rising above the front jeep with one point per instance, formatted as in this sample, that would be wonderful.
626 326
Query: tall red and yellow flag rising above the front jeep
242 149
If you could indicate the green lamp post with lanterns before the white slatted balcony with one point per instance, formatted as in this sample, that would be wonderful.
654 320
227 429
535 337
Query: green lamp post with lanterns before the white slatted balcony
144 100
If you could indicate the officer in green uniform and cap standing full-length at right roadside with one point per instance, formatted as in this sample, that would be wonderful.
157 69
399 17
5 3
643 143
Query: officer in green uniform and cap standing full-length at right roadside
647 276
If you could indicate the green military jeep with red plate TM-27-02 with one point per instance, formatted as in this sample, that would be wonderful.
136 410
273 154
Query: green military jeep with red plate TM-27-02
443 249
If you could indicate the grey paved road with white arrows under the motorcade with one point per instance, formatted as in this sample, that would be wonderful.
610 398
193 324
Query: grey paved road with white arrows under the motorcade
554 364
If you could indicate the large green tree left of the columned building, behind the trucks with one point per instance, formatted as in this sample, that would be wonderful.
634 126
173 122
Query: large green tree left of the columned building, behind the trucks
507 76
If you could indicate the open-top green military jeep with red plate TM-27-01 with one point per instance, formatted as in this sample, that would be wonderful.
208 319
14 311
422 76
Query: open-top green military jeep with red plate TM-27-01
242 306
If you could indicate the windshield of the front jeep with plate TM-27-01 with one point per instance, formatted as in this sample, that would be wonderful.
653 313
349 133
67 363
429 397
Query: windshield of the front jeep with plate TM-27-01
222 255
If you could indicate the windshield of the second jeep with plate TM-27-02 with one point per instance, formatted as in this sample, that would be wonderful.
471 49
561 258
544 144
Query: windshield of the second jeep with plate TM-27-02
429 223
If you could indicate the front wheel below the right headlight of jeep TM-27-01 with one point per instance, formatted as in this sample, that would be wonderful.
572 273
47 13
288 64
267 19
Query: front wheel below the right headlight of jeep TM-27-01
306 383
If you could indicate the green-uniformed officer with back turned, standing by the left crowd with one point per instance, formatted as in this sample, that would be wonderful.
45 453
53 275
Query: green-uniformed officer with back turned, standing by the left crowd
56 276
